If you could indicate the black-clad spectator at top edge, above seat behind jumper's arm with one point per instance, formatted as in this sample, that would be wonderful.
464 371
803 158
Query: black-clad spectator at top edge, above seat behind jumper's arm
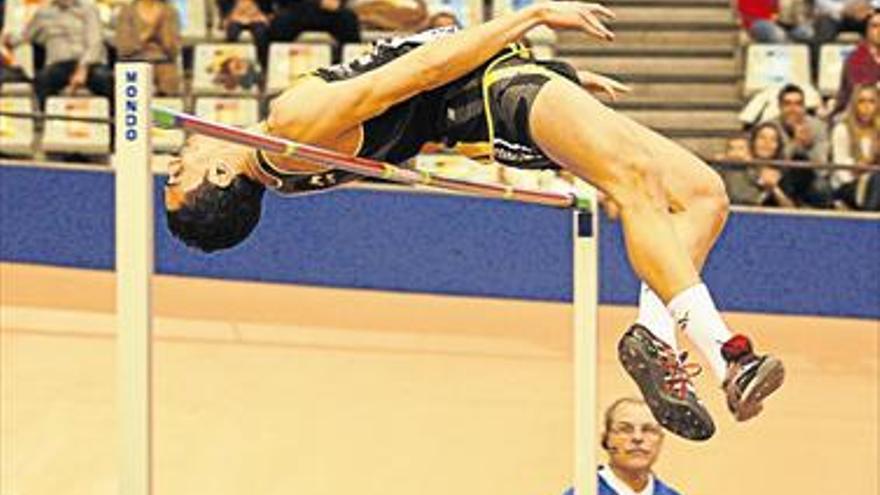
332 16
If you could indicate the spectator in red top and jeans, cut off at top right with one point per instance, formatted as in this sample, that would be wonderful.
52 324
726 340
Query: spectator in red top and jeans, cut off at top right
769 22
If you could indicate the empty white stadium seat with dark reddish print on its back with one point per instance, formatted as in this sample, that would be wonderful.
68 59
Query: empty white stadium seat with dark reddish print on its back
225 69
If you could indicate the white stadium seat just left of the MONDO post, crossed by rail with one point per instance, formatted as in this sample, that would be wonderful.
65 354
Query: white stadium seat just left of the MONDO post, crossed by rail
62 136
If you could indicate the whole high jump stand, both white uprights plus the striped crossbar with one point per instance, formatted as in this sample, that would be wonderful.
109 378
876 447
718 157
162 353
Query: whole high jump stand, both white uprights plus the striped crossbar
134 265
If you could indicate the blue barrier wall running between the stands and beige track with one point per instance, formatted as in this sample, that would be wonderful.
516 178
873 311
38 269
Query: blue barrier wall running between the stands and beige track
793 262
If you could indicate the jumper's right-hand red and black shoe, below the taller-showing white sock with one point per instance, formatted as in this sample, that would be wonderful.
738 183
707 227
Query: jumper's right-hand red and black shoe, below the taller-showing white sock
750 378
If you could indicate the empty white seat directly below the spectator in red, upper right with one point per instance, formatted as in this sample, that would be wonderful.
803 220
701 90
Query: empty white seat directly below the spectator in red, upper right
772 64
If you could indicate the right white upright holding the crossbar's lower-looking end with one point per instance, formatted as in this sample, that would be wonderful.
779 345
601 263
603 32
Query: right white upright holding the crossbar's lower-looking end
585 237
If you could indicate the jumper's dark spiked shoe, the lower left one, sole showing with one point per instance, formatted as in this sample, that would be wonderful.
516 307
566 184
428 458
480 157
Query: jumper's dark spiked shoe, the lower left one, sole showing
665 381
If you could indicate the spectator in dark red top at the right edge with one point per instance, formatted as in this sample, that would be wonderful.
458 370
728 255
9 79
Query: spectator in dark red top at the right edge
862 66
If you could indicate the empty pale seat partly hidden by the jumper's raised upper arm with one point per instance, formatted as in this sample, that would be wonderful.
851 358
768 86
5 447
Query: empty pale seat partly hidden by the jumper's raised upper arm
289 60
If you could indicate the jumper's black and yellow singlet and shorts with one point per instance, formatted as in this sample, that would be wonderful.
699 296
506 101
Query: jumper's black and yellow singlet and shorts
483 114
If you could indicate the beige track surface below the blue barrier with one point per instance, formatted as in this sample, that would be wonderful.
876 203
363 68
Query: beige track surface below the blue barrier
269 389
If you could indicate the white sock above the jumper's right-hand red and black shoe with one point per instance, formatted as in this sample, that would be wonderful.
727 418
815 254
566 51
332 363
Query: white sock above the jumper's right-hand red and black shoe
696 315
